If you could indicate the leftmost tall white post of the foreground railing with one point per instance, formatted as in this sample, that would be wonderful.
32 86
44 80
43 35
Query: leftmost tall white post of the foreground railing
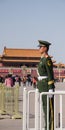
24 108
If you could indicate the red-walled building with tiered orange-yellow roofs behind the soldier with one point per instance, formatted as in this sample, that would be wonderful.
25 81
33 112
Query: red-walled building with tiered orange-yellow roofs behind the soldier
25 61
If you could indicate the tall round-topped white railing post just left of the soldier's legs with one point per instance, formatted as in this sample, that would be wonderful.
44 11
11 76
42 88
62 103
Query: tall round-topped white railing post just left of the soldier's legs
36 109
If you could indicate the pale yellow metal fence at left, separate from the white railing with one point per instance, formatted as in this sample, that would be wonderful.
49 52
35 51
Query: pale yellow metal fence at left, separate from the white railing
9 103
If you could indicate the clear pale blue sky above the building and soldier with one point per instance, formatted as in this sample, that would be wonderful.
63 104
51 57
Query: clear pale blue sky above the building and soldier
24 22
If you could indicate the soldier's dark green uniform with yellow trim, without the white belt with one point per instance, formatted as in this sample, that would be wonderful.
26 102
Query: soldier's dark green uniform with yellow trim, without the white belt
45 69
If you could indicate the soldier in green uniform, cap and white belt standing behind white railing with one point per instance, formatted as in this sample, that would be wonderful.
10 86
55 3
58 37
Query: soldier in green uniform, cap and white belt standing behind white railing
46 81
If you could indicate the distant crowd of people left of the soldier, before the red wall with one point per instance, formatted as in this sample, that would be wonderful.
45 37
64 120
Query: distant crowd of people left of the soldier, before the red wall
11 80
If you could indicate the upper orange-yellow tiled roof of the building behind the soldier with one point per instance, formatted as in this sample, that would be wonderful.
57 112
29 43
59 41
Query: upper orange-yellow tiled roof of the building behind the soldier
21 52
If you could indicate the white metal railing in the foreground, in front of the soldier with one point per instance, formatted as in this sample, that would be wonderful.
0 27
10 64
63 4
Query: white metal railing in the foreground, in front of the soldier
38 109
